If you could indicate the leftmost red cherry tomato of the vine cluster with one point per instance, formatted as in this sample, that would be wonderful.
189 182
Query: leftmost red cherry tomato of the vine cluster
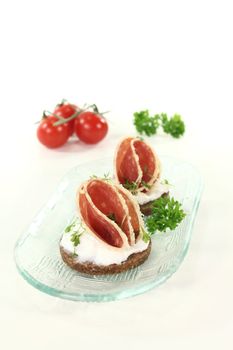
52 136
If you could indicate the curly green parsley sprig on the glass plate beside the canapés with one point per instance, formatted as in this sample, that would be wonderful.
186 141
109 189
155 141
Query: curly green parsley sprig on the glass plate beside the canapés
166 213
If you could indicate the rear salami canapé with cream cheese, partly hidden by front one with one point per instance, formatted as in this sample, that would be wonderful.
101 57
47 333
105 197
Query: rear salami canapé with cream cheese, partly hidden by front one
138 169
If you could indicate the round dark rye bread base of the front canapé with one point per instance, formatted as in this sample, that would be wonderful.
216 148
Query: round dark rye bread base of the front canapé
89 268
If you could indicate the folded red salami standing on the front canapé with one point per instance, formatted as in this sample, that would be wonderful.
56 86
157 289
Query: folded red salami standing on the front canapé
110 212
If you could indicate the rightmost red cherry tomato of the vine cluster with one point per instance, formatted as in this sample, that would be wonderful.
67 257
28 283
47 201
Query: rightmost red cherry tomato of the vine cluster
90 127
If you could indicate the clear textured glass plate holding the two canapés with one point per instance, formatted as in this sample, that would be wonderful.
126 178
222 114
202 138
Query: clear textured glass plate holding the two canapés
37 253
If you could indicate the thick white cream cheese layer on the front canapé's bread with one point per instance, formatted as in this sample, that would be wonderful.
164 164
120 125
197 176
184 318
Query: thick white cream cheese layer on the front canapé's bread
92 249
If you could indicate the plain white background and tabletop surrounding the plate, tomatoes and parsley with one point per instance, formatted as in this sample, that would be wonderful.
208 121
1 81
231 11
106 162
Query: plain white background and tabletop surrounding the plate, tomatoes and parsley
171 56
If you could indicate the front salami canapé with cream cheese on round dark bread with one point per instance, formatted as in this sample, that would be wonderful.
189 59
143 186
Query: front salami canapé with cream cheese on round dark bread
109 235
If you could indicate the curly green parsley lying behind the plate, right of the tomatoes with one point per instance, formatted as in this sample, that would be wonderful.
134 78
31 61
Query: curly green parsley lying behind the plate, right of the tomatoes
148 125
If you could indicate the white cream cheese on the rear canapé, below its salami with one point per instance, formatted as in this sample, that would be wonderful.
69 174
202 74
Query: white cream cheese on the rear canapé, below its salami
155 192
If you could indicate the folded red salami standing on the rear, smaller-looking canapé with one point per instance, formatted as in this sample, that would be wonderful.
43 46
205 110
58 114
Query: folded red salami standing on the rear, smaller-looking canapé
136 163
